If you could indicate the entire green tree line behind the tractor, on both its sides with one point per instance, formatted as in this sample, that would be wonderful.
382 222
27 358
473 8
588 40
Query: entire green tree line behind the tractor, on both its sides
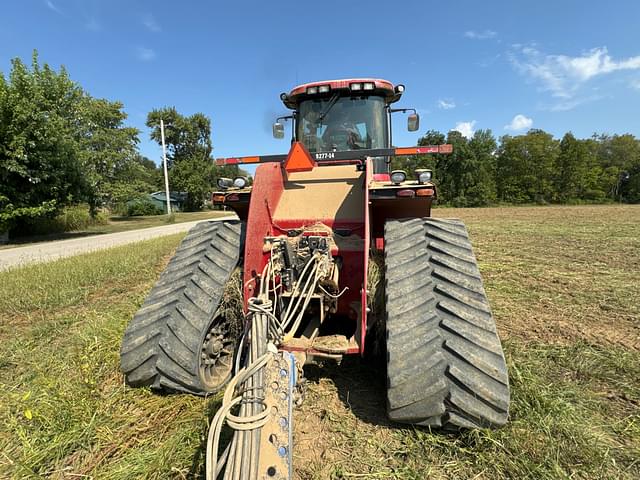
59 146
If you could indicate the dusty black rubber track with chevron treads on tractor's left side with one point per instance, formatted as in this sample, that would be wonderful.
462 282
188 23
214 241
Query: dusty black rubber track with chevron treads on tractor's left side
161 344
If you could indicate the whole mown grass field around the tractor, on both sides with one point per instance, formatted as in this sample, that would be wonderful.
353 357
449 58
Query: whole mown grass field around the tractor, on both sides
564 286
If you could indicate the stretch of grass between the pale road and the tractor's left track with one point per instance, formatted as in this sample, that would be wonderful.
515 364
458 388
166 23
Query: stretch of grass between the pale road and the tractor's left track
63 406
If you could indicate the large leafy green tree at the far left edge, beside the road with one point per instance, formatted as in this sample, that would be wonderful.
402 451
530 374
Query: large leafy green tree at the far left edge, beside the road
39 167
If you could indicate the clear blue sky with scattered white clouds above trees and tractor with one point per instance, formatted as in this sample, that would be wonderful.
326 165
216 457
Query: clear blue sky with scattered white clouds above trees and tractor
467 65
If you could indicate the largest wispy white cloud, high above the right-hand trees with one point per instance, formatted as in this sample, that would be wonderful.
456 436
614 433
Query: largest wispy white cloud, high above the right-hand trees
563 75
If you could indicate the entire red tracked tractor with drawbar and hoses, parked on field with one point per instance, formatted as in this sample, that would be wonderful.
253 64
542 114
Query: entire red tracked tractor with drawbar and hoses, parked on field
245 303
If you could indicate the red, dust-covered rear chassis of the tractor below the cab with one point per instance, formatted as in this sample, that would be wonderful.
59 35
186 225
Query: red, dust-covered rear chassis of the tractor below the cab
333 194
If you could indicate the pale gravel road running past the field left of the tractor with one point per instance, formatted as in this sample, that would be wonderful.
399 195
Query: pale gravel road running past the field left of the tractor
47 251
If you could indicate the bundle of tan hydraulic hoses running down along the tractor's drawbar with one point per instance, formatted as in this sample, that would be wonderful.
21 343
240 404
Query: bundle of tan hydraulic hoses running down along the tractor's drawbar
245 392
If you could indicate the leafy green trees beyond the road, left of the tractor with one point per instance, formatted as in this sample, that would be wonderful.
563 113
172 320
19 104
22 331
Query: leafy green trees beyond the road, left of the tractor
59 146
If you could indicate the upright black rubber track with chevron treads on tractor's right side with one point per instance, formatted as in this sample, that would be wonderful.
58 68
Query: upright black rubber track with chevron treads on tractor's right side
445 364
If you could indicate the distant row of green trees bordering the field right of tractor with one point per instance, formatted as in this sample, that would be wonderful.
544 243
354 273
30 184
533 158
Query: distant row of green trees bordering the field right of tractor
532 168
